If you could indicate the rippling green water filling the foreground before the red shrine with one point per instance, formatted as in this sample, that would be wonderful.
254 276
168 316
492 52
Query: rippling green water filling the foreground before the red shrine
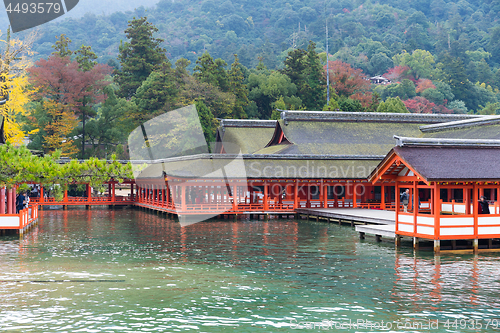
134 271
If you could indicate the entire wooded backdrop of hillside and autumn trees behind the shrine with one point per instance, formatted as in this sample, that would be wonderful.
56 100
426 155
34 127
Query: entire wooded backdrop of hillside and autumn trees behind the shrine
242 59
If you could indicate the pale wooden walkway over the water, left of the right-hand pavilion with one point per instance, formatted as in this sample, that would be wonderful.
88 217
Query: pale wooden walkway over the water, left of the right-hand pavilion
368 221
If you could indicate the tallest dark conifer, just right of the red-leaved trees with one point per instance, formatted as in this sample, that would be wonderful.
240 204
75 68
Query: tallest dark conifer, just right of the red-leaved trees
139 57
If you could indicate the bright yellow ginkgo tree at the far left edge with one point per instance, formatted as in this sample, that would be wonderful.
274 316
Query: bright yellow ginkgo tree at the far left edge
14 59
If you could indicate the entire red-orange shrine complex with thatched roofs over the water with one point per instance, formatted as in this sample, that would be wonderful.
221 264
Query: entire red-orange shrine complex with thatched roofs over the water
330 160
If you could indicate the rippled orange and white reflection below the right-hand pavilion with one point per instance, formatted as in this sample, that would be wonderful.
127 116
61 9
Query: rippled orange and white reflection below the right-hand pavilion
427 283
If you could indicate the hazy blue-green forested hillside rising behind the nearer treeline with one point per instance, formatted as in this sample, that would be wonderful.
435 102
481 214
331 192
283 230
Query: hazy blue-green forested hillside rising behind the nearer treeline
269 28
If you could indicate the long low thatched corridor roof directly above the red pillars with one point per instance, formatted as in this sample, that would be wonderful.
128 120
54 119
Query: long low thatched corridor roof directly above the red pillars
207 166
